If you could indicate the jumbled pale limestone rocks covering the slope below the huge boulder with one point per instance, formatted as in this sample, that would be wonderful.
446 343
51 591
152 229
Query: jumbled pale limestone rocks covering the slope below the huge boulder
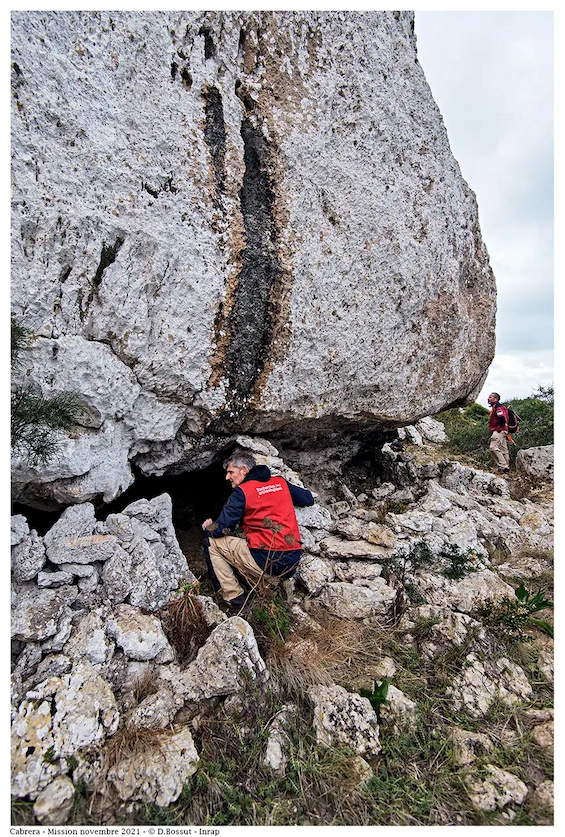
426 555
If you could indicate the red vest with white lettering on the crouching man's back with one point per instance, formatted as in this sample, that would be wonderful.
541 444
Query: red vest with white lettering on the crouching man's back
269 521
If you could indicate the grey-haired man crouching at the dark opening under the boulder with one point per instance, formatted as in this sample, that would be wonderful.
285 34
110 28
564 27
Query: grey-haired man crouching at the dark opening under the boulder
264 507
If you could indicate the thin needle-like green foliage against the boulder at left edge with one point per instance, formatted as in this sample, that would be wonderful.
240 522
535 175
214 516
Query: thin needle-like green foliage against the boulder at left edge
35 420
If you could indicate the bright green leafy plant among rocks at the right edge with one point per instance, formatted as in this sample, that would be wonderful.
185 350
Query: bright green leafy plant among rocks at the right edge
515 616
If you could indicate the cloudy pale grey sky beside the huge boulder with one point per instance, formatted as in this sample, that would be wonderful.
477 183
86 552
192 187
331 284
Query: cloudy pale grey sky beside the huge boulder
491 75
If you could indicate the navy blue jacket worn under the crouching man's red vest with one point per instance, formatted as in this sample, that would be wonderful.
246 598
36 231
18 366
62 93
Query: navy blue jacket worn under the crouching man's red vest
234 509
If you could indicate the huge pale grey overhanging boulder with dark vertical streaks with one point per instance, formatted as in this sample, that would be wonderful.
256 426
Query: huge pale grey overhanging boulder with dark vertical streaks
208 206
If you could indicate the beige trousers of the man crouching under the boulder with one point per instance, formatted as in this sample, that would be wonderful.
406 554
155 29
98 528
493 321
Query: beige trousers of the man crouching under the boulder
228 552
